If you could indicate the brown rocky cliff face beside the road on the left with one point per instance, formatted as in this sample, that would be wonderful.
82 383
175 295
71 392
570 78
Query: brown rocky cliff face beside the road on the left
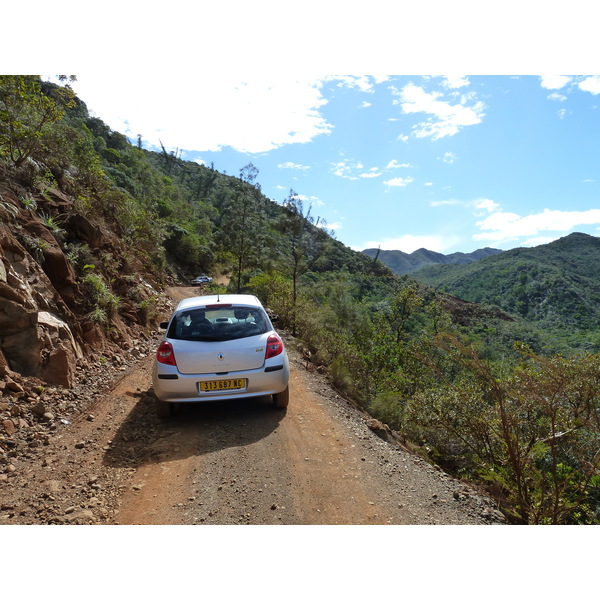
50 318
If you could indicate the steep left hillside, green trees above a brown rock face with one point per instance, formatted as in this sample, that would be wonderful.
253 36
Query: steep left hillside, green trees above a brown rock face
92 228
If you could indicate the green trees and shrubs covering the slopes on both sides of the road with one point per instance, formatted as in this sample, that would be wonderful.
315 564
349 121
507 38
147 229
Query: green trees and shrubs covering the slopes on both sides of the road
497 383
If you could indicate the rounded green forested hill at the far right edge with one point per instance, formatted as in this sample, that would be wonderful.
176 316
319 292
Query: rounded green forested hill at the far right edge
555 286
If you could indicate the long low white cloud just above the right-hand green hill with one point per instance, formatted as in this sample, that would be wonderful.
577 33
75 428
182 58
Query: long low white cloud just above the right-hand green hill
505 226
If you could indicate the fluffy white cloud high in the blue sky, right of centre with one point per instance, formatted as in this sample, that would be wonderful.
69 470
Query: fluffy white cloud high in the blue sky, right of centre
447 119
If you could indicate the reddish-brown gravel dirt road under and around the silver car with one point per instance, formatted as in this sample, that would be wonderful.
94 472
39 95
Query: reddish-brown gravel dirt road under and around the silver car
233 463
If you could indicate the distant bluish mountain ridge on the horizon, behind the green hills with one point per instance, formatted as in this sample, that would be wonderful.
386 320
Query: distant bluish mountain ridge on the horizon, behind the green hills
402 263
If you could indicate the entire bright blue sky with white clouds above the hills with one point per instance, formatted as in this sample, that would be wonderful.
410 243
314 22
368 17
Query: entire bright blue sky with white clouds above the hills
402 162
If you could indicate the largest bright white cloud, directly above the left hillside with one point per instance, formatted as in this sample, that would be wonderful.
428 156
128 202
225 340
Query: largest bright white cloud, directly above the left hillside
256 116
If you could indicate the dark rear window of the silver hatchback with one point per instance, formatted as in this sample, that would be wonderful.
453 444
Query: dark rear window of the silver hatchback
217 324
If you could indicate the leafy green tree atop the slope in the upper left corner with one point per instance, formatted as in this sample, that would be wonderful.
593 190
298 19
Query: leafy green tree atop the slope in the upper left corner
27 114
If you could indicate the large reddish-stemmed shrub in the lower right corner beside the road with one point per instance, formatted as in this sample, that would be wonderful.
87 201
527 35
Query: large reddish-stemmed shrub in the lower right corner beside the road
534 432
